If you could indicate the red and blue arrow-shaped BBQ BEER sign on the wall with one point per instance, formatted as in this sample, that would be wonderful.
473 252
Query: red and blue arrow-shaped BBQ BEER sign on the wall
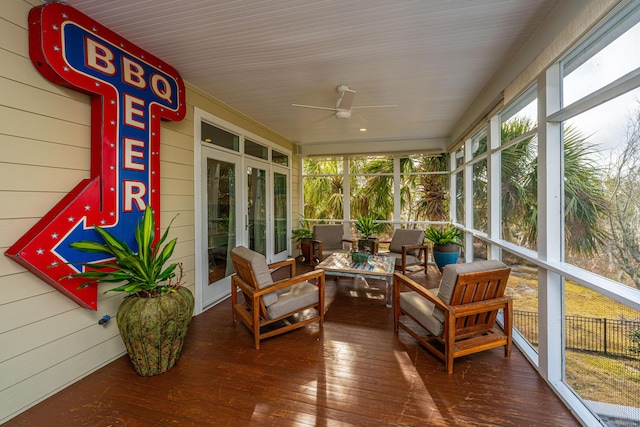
131 91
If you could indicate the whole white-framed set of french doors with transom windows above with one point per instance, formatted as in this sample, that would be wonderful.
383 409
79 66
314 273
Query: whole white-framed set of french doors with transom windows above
242 197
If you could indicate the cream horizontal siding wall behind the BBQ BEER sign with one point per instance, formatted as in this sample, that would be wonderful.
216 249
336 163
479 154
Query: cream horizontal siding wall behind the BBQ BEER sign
46 340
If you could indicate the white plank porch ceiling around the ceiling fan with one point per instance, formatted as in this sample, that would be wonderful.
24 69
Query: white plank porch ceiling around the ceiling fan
430 58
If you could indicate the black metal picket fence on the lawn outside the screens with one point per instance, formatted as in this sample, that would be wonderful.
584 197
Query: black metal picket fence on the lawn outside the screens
597 334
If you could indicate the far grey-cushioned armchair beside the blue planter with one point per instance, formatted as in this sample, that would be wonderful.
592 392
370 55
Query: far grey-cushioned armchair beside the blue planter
408 248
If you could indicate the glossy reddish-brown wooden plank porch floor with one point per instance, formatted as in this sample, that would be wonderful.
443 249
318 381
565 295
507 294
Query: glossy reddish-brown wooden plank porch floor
353 372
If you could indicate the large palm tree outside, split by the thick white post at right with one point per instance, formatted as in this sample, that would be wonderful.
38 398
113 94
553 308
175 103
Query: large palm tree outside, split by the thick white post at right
585 204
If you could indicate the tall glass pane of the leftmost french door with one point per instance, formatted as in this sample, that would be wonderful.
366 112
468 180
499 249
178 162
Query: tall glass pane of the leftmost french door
220 217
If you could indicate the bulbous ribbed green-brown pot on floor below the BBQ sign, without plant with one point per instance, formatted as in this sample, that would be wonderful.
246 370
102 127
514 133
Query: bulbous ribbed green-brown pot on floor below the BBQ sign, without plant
154 329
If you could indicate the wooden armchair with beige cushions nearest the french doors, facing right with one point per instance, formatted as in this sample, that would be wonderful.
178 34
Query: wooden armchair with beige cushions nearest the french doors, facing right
267 302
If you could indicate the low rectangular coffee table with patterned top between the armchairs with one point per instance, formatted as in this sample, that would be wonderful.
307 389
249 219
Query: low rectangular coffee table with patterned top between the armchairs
377 267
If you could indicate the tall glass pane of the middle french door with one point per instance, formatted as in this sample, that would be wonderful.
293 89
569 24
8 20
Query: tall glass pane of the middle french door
257 209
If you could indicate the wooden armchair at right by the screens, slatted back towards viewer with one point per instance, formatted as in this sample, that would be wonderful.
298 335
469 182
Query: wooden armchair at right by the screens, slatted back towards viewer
460 319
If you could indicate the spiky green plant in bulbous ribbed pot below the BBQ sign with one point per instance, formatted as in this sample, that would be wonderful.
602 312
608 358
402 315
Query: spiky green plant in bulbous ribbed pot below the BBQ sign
154 317
